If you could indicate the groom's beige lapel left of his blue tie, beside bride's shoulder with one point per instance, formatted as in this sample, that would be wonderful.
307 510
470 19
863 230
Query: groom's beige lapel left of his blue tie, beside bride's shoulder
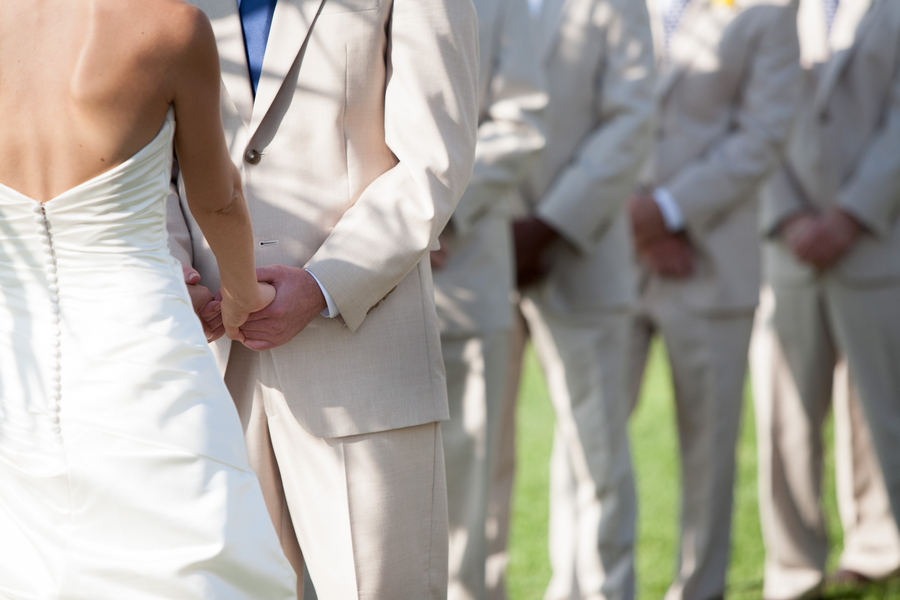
226 23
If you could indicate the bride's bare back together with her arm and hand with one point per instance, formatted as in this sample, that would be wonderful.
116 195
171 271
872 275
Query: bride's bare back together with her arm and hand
85 84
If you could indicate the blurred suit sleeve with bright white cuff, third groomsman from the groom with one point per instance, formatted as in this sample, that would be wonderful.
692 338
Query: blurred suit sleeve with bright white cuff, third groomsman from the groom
727 175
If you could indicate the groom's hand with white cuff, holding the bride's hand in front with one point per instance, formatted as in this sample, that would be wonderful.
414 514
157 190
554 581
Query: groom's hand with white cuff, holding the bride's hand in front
298 300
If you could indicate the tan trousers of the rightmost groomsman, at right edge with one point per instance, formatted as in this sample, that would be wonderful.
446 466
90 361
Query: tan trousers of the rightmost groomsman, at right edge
798 367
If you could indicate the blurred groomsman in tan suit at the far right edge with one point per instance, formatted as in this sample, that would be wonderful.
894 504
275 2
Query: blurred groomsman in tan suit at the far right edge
832 259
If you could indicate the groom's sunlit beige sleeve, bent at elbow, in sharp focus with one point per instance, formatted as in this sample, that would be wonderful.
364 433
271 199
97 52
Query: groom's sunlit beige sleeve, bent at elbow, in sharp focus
430 122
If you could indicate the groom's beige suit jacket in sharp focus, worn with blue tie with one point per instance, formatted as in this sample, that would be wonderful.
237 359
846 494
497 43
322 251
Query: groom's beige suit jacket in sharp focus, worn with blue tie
365 119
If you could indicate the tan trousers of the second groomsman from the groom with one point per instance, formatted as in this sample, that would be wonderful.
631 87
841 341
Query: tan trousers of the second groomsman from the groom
592 496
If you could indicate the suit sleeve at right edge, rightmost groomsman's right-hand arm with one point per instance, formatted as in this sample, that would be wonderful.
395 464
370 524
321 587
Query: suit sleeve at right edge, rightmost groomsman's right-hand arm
872 194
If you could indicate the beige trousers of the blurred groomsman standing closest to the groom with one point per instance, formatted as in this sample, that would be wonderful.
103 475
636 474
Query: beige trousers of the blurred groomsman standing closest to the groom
476 385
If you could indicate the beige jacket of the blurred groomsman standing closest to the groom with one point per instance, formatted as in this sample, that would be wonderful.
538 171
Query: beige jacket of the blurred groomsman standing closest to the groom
473 291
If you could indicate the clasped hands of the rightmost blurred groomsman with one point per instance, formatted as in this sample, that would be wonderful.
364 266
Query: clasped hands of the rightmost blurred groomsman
820 239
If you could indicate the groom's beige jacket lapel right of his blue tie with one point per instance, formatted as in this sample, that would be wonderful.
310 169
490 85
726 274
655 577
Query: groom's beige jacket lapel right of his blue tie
291 24
